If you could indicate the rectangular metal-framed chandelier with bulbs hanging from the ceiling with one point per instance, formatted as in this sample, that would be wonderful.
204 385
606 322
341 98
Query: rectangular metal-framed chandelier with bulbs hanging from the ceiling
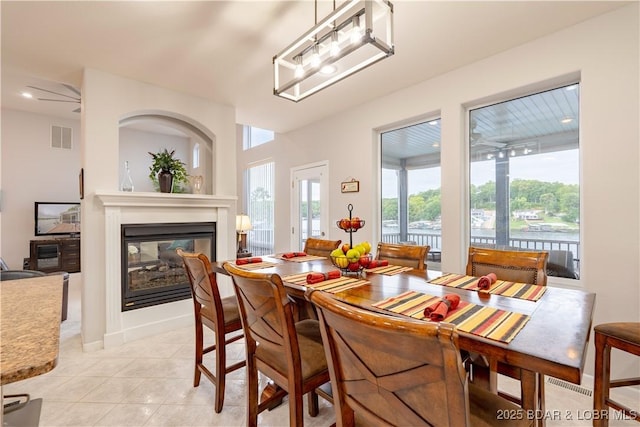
357 34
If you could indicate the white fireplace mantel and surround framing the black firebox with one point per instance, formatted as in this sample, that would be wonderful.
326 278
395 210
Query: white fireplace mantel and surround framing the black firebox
153 208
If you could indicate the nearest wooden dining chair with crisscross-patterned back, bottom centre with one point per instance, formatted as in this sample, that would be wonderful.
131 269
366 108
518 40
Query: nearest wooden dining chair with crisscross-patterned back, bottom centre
391 371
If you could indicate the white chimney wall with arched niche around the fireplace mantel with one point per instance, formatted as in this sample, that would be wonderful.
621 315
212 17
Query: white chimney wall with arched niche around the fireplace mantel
107 99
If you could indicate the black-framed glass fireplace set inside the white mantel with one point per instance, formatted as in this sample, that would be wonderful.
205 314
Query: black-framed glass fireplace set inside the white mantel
152 271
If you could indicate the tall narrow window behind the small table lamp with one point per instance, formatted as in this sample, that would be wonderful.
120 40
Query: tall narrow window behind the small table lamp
259 202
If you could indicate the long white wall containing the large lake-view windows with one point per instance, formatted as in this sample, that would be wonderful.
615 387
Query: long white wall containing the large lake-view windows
603 53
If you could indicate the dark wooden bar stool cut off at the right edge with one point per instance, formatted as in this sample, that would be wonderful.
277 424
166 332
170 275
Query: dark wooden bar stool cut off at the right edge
624 336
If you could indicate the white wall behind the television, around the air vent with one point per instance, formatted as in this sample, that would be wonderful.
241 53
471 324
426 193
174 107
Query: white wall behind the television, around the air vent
33 171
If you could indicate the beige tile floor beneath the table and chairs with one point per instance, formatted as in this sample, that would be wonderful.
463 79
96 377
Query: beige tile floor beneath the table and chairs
149 383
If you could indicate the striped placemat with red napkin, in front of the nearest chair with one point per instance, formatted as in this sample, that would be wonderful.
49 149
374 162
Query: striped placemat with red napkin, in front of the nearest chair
487 322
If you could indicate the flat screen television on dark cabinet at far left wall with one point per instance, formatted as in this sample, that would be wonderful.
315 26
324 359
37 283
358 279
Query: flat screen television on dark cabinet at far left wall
56 218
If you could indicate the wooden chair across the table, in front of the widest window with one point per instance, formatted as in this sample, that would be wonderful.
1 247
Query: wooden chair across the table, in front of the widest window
517 266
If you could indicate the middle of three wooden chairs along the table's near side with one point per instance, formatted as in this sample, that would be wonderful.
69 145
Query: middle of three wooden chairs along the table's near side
289 353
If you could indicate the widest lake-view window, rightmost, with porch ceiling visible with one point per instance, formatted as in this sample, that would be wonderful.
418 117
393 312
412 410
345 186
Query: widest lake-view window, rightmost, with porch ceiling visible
524 176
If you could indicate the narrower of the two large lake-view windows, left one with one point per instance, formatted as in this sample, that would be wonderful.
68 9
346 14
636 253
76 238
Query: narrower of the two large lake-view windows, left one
410 201
